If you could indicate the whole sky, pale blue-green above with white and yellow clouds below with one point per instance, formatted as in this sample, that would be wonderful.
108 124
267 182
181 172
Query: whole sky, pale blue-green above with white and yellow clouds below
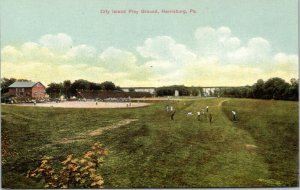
226 42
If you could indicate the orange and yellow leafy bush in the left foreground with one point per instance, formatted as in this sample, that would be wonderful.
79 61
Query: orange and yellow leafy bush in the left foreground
75 173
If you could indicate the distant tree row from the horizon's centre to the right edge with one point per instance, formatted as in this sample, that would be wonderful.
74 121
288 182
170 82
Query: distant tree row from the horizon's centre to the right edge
273 88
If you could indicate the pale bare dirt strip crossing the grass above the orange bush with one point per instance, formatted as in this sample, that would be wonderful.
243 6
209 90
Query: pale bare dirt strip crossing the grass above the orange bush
97 132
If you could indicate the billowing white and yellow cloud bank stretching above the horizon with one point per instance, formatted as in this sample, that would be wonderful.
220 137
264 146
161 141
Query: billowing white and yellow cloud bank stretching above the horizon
220 58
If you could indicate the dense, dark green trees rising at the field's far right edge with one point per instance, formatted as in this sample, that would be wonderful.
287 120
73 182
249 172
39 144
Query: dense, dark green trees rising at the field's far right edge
274 88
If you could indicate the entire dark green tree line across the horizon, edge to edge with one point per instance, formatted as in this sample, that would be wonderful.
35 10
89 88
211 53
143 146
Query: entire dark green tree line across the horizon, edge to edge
273 88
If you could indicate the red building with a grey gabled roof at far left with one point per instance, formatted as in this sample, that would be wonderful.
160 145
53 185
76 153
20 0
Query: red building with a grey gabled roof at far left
27 89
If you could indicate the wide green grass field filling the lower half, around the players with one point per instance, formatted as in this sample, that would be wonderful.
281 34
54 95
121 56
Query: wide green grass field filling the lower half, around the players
259 150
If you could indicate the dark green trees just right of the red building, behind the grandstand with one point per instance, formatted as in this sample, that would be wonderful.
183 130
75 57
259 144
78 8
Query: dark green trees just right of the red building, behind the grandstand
69 89
